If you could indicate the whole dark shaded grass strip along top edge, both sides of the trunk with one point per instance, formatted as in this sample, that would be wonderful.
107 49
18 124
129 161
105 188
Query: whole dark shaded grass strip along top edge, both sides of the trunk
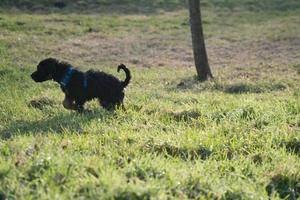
140 6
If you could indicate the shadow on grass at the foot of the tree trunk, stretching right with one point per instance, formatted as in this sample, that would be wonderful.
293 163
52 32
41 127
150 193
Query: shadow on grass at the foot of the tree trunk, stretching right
234 88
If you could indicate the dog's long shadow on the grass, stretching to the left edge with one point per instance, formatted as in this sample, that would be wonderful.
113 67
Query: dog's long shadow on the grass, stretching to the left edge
58 124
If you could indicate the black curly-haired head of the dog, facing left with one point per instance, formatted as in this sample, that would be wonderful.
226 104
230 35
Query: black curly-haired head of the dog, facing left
45 70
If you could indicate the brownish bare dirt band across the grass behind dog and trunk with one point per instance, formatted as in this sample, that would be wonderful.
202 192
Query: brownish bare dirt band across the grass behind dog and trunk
153 52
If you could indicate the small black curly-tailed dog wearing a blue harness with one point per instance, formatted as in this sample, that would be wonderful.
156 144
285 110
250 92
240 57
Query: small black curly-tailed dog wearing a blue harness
80 87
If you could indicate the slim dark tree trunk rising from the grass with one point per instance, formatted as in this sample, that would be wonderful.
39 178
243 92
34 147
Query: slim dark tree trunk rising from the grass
200 55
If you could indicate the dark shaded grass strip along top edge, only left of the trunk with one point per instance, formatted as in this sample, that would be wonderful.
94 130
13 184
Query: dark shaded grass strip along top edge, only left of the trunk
94 6
